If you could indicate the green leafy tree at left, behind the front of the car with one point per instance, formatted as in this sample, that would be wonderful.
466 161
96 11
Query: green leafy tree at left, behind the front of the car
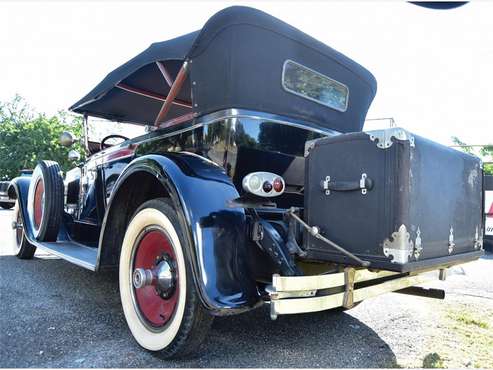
27 137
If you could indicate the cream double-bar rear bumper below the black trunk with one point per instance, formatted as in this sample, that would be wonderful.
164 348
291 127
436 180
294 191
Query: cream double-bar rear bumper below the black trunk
298 294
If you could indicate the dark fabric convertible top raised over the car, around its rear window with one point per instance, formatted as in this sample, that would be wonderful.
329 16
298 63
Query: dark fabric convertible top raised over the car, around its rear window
235 61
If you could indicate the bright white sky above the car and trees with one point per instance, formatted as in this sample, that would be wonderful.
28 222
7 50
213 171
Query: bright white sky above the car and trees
434 68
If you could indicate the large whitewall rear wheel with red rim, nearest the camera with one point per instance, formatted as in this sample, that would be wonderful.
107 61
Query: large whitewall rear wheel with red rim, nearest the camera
158 294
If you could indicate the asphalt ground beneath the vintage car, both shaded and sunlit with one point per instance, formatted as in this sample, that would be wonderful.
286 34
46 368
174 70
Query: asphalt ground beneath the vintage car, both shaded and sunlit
55 314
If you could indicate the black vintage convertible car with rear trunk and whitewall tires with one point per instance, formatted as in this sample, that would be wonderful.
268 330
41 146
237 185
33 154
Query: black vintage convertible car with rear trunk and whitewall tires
255 184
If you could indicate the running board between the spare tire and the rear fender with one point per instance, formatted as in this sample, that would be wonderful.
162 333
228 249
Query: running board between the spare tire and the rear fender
73 252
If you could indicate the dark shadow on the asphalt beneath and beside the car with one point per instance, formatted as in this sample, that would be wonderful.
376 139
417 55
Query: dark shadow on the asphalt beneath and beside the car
54 314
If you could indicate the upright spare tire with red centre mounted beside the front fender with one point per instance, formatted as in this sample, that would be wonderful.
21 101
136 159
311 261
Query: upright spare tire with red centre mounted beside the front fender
45 201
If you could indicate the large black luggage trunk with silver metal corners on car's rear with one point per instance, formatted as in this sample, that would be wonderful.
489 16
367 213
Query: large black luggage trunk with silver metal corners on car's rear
394 199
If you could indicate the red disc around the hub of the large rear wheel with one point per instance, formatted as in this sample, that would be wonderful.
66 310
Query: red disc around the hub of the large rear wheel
152 247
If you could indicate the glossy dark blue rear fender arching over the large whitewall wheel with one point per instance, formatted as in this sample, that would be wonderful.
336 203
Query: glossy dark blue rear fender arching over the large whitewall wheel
219 252
